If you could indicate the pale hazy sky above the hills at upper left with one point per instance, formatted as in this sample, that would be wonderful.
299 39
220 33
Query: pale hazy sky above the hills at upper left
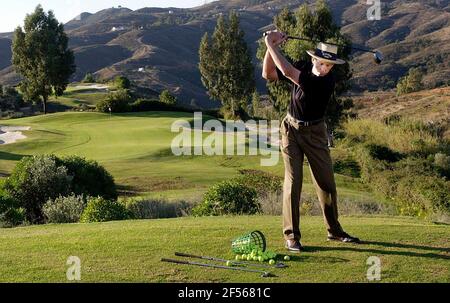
13 11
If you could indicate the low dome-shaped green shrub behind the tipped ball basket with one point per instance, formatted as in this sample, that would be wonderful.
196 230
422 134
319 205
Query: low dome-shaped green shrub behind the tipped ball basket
228 197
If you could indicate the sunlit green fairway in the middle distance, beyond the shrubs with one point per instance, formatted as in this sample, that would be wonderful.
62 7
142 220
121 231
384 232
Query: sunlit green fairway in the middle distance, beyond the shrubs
135 148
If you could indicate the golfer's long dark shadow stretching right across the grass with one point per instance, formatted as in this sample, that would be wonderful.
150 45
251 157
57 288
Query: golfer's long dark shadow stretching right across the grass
361 248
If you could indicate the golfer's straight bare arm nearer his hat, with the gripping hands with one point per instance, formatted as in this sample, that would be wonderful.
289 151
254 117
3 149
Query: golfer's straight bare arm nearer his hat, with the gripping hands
289 71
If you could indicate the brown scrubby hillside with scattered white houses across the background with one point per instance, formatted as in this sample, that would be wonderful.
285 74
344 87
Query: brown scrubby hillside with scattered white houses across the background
163 43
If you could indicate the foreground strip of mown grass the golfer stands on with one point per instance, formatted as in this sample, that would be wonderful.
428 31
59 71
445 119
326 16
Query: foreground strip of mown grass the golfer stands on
410 250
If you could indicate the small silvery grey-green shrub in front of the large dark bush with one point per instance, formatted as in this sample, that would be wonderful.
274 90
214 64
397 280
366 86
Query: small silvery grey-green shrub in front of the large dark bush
64 209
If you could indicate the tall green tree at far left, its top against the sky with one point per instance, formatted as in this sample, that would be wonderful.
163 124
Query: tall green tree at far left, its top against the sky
41 56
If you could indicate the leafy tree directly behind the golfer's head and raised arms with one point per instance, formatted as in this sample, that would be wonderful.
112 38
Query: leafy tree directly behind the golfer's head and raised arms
315 25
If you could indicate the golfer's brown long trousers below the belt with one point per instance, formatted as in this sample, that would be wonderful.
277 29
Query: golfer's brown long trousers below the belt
312 141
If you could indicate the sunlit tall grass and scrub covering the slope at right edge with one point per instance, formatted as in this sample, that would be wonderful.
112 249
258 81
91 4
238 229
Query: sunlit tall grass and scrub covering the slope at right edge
397 160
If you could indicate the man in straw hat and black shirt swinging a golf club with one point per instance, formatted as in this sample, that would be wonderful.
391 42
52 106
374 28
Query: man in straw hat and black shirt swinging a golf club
303 133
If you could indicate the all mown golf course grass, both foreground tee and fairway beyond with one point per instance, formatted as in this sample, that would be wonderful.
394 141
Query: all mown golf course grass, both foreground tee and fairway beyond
135 148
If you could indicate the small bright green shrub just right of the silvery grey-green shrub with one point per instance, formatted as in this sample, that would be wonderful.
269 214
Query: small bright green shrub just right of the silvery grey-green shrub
102 210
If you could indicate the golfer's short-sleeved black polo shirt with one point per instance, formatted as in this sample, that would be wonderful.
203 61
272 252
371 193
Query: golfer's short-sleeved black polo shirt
309 100
